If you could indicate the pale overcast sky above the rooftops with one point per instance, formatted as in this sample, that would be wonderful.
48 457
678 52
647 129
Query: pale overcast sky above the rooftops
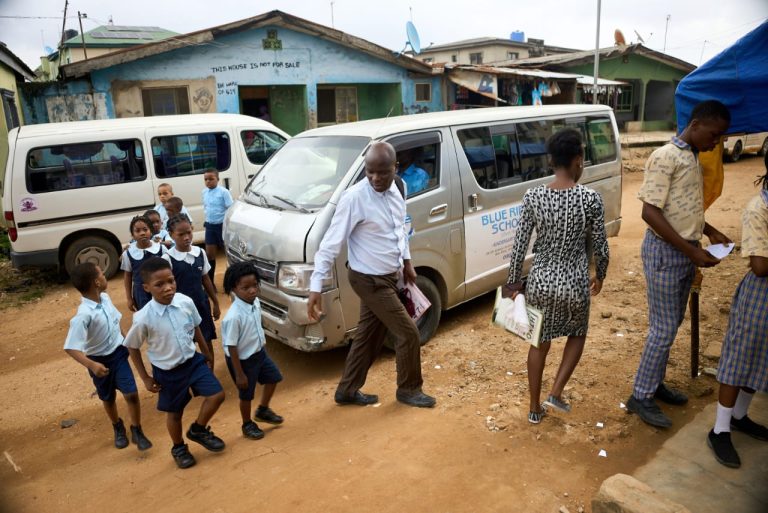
698 29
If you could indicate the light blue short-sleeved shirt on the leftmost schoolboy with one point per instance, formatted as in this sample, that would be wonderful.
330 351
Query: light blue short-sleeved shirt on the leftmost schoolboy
95 328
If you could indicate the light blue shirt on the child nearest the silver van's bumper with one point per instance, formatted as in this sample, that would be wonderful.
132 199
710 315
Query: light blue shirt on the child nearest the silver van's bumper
241 327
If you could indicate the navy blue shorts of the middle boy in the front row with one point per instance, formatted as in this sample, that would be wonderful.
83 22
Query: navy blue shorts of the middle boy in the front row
176 383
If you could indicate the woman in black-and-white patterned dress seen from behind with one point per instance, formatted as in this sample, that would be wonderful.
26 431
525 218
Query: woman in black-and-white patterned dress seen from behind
567 217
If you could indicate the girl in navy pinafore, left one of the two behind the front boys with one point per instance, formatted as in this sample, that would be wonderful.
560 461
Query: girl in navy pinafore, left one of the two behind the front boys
138 251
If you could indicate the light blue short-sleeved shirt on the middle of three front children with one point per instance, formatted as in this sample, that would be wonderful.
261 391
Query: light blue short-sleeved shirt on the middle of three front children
168 330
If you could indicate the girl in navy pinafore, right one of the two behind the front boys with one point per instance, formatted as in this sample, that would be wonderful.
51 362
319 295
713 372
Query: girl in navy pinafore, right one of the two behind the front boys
190 268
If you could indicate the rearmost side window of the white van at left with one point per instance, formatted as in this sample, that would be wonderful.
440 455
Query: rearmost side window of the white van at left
75 166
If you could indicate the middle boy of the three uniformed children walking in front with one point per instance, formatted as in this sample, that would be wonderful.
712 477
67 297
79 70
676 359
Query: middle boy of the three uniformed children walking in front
169 324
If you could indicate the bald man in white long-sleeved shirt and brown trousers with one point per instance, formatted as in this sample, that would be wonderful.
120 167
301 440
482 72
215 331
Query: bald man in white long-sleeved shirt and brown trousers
370 217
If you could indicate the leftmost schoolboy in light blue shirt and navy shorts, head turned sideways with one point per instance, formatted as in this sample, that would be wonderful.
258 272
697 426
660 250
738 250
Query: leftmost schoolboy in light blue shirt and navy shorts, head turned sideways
95 341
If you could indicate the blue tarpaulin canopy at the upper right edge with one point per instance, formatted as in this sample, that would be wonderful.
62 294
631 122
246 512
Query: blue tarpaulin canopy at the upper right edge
738 77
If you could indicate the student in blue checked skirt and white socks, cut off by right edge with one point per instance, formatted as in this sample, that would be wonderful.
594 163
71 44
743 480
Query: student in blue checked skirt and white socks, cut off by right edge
743 367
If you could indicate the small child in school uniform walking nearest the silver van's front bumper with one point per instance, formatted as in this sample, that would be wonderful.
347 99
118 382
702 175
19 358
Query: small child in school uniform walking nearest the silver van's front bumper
247 358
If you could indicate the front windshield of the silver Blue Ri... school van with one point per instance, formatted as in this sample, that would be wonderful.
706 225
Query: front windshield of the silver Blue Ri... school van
305 172
